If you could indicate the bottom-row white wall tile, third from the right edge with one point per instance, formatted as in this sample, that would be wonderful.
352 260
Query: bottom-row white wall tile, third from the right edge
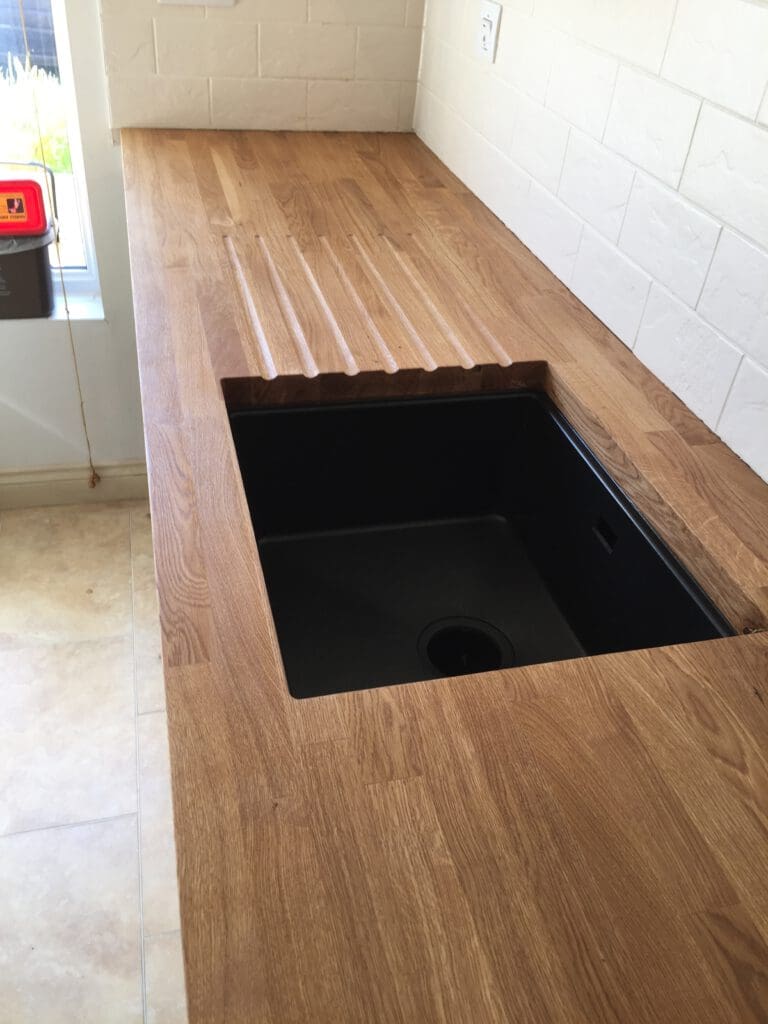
611 285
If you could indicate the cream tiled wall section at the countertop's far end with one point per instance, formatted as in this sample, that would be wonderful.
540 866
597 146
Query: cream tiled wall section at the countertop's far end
265 64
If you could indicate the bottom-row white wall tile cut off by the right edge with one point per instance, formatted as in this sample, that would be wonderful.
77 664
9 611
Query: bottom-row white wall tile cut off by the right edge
745 421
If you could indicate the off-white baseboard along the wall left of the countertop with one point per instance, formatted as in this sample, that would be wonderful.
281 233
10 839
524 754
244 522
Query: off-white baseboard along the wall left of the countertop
69 486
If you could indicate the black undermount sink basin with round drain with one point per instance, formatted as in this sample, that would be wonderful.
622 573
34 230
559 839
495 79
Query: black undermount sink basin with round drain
417 539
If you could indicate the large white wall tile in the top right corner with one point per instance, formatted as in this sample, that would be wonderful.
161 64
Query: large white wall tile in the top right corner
719 49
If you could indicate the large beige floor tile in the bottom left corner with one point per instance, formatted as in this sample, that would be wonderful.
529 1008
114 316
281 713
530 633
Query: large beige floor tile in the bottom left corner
69 931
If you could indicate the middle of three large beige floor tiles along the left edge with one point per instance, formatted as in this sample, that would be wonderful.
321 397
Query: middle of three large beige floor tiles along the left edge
68 745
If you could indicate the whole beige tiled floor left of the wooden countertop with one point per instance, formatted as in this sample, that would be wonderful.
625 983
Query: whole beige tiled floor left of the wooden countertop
90 926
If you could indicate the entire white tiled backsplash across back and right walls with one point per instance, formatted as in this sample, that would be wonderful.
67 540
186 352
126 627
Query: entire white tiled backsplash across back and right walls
625 143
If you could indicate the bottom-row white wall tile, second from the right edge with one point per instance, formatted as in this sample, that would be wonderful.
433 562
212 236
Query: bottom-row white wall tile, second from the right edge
688 355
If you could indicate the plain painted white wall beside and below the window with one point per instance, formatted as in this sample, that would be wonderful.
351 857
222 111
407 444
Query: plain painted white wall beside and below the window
39 409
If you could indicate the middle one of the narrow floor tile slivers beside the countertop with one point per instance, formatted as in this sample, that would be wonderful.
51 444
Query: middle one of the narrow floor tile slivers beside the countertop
158 849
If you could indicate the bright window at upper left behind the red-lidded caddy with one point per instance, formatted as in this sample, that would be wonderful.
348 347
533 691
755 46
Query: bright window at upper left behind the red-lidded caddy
42 89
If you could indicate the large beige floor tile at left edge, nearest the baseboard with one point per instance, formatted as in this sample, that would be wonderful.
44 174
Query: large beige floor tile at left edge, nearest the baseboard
66 575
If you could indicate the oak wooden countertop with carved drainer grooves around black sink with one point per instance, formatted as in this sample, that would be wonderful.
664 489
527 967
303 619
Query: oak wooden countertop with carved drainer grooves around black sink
580 842
